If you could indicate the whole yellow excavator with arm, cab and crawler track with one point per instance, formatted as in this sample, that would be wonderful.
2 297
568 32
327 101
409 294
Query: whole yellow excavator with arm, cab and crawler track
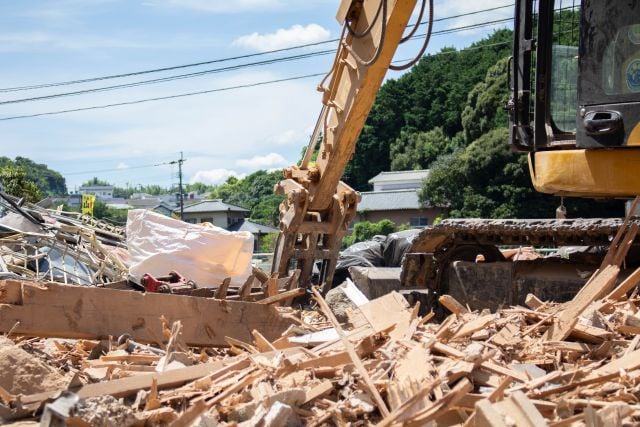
574 109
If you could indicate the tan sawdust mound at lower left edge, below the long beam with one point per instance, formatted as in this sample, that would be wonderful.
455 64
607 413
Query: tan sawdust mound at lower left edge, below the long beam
21 373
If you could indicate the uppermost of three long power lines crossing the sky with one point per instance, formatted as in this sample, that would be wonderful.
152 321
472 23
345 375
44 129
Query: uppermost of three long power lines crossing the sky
196 64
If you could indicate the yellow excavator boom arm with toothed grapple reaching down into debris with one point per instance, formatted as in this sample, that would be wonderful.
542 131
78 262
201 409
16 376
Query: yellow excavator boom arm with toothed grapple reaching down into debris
319 207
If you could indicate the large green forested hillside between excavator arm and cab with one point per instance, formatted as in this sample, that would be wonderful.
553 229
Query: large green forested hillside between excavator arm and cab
447 114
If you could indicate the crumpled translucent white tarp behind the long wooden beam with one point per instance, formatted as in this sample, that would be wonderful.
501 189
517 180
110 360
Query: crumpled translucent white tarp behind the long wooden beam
204 254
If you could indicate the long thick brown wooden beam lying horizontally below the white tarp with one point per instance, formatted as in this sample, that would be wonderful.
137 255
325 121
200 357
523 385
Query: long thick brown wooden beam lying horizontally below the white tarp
56 310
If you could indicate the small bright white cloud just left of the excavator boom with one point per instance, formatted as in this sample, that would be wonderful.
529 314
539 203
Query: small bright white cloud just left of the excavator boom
283 38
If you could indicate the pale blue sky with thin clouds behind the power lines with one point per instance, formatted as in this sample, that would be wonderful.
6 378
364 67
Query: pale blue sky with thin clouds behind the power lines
221 134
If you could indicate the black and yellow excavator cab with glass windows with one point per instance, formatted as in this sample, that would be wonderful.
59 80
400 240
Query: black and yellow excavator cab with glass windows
575 95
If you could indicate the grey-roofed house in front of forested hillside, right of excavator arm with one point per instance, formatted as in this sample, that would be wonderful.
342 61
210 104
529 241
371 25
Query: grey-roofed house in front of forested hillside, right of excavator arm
395 197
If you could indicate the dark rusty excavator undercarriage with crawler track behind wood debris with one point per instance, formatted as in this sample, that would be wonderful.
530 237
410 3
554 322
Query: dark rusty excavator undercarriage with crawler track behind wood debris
445 258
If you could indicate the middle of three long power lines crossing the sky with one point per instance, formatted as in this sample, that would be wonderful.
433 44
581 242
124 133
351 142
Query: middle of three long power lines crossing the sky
231 68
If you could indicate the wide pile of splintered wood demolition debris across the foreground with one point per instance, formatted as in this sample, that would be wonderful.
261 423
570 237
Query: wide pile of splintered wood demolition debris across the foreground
238 355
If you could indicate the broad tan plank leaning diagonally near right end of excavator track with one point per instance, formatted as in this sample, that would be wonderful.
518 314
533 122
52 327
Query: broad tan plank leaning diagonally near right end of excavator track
599 285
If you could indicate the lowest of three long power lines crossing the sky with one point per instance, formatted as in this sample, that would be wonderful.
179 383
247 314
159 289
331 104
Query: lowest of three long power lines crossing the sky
263 83
